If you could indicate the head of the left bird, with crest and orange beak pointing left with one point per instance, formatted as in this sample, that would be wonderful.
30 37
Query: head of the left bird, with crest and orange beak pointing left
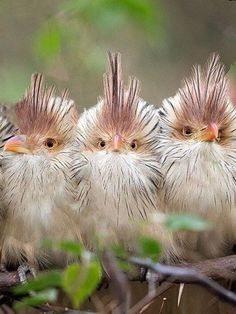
46 123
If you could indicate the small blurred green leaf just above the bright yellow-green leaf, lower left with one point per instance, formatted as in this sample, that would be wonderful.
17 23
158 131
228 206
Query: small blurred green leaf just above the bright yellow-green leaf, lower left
72 247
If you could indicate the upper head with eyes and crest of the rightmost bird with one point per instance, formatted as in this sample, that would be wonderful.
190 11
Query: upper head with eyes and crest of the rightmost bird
203 102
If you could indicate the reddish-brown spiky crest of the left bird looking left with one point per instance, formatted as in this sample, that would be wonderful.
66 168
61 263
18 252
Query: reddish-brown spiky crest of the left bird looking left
41 112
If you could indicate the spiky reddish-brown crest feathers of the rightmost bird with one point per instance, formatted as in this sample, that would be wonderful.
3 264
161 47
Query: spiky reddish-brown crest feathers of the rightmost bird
204 95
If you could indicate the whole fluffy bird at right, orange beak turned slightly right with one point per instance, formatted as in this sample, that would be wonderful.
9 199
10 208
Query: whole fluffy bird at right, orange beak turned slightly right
198 150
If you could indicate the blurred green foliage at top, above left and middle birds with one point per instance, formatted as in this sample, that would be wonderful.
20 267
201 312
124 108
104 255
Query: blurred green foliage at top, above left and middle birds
77 23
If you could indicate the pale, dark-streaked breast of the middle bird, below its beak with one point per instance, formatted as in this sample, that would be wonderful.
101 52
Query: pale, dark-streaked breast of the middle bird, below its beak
121 188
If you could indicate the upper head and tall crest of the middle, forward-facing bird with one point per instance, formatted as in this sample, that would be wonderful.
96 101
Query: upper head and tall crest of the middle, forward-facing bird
120 116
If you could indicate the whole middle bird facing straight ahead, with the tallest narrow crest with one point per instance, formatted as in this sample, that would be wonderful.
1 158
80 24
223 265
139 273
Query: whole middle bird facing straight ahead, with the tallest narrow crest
115 160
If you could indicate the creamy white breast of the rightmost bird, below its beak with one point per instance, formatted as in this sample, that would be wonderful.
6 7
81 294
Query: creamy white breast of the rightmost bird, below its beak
199 177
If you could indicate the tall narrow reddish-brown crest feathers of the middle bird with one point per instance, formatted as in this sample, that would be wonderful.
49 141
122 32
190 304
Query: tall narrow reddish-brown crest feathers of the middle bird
120 103
